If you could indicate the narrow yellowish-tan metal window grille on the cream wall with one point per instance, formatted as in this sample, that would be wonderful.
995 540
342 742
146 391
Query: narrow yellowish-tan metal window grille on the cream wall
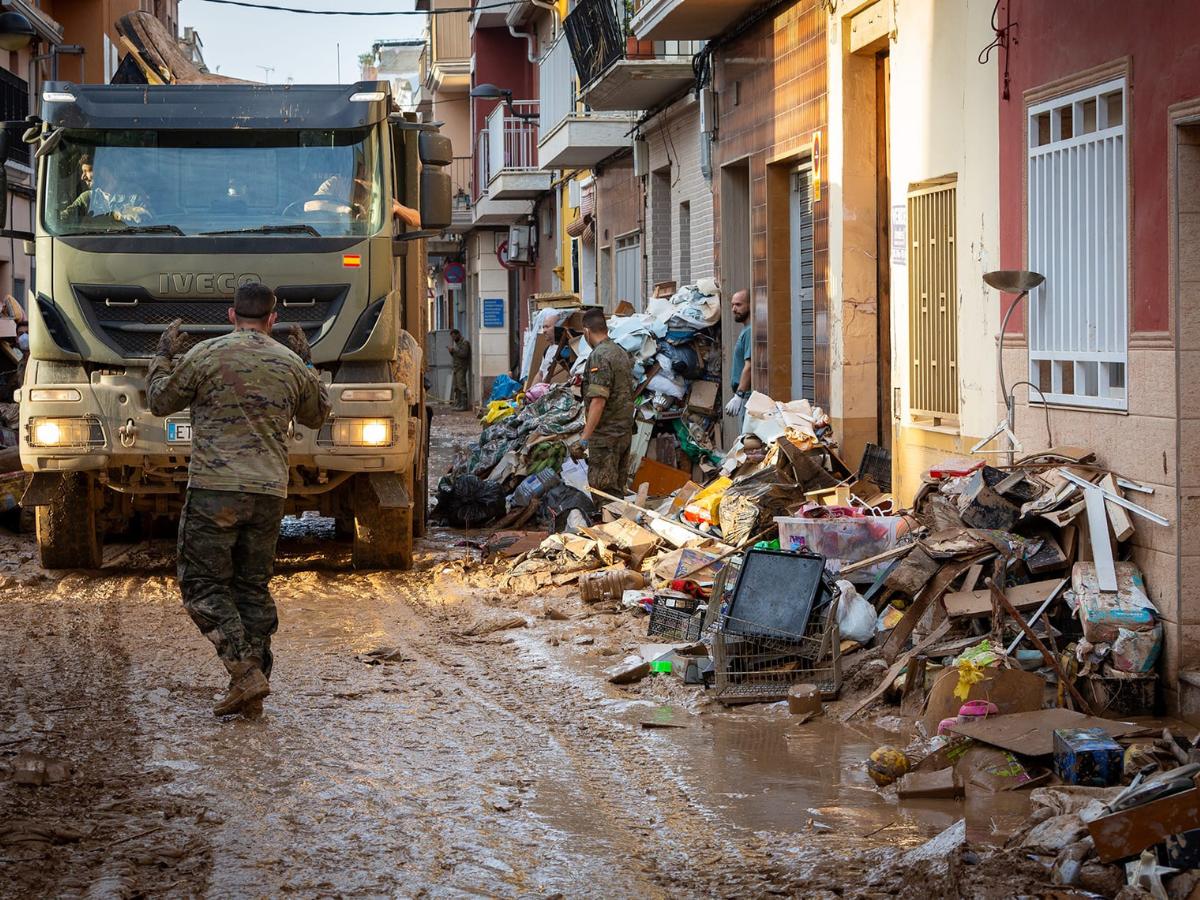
933 302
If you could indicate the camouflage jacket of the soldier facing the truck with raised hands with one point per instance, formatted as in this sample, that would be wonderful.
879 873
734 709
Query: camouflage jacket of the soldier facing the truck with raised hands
244 389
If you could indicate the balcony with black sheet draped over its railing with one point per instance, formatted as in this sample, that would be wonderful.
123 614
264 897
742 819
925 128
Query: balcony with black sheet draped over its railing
619 71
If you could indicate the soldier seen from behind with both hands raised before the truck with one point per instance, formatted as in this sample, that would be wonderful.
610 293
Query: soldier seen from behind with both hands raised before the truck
244 389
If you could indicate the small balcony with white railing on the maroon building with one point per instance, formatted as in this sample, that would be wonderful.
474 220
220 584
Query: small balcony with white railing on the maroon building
507 173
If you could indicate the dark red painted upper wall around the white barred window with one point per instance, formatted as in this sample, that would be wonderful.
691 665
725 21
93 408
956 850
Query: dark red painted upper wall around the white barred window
1061 39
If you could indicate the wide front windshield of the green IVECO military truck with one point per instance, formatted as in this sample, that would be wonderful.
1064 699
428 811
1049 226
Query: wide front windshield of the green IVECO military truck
303 183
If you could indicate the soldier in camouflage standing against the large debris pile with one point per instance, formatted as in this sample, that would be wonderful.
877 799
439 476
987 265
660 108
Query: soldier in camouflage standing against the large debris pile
609 399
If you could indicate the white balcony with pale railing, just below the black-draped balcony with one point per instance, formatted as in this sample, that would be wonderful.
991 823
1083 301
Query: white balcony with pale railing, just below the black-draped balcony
571 133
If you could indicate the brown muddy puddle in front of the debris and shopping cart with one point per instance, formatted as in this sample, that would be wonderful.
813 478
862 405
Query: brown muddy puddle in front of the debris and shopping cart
757 769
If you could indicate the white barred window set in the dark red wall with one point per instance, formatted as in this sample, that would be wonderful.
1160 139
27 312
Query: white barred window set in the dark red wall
1078 239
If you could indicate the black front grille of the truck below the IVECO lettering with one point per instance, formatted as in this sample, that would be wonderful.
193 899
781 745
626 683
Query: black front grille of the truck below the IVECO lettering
131 320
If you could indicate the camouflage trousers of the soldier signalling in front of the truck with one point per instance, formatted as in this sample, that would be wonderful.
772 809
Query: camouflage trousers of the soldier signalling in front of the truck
226 561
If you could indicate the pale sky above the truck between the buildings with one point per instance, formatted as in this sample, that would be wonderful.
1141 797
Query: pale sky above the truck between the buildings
239 43
